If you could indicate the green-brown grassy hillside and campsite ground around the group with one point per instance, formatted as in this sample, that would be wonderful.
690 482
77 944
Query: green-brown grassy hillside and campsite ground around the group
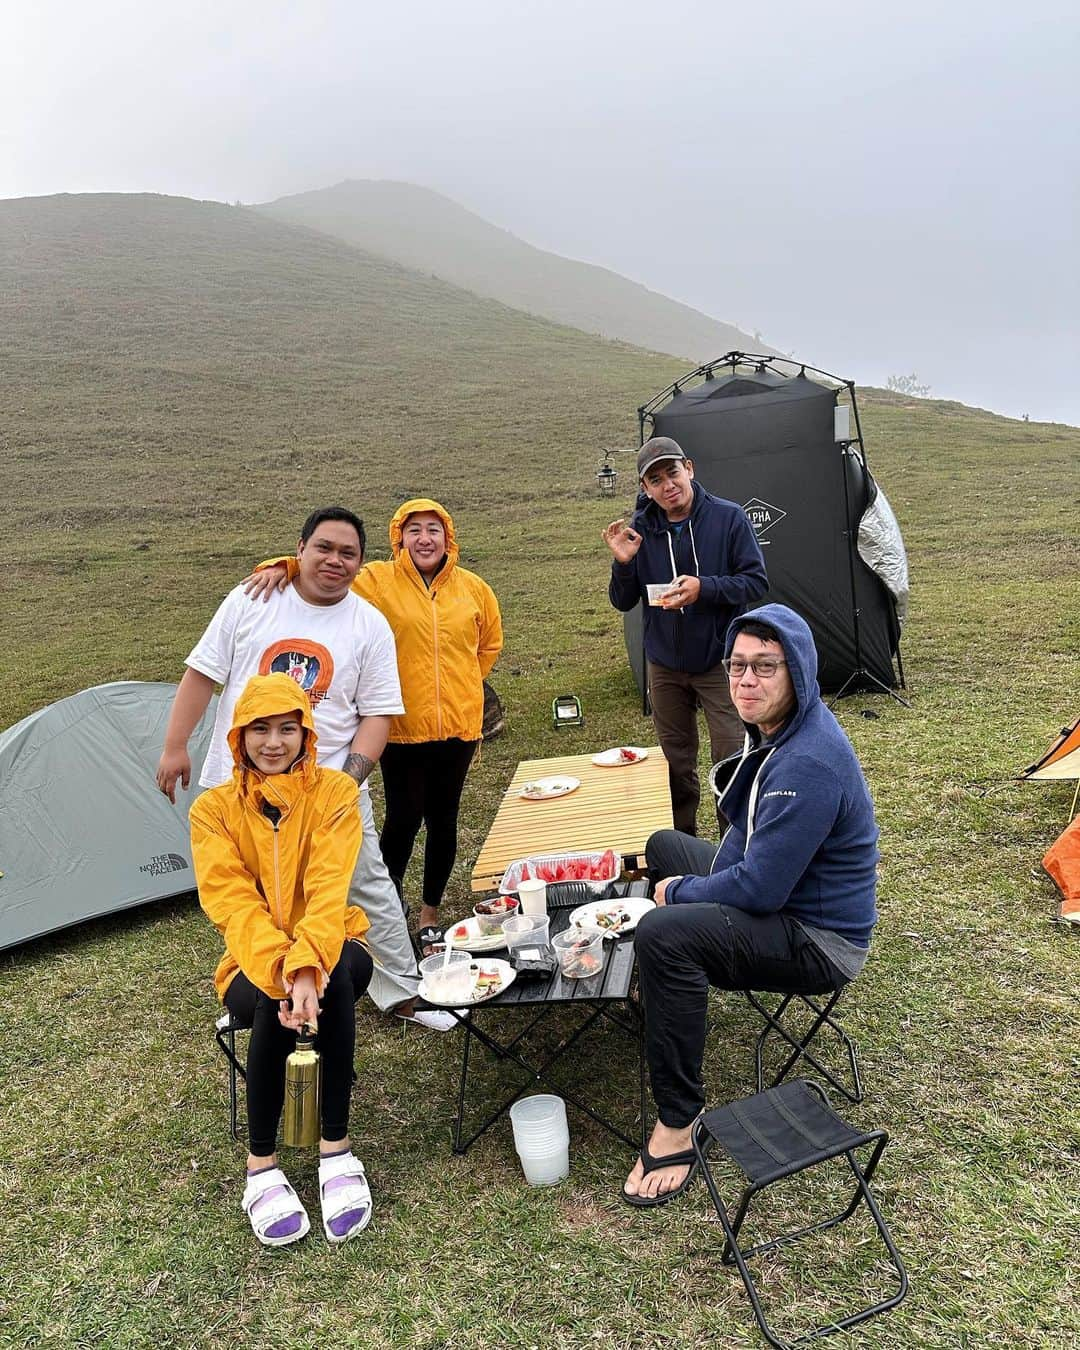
182 383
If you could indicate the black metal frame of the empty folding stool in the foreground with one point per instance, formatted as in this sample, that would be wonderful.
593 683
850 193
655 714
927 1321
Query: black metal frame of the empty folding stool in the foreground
736 1256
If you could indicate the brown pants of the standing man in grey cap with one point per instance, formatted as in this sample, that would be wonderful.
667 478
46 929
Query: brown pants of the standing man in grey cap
676 699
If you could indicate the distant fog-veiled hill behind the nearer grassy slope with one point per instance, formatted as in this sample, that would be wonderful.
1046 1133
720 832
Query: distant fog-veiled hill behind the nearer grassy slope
423 230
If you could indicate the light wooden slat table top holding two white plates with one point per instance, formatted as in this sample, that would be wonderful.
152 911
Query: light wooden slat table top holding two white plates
615 808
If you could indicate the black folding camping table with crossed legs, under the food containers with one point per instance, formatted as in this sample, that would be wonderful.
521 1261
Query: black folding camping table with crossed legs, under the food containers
603 997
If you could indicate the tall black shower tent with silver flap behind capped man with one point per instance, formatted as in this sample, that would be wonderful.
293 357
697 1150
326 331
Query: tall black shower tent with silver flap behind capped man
767 441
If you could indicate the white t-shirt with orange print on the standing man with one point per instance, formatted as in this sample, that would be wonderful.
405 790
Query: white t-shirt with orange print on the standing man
342 655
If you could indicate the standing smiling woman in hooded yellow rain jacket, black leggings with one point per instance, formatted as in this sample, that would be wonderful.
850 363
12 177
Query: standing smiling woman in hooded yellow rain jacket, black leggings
449 632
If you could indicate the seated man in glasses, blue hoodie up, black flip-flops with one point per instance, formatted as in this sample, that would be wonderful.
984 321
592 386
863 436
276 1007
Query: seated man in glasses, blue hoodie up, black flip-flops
786 902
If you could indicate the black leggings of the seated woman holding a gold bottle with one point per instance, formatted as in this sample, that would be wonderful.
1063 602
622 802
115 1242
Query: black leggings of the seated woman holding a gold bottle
272 1044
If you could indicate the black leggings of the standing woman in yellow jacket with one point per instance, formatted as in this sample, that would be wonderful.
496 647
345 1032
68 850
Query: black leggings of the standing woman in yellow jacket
423 784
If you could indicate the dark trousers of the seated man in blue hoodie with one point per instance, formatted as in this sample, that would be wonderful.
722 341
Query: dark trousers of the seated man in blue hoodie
682 950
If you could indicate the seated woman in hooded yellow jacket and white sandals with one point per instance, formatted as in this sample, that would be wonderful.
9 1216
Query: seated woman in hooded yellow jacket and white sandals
273 854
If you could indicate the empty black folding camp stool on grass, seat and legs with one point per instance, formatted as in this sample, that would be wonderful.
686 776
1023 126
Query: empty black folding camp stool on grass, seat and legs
770 1137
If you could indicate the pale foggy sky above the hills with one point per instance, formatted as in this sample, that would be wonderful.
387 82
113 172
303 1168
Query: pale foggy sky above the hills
882 190
